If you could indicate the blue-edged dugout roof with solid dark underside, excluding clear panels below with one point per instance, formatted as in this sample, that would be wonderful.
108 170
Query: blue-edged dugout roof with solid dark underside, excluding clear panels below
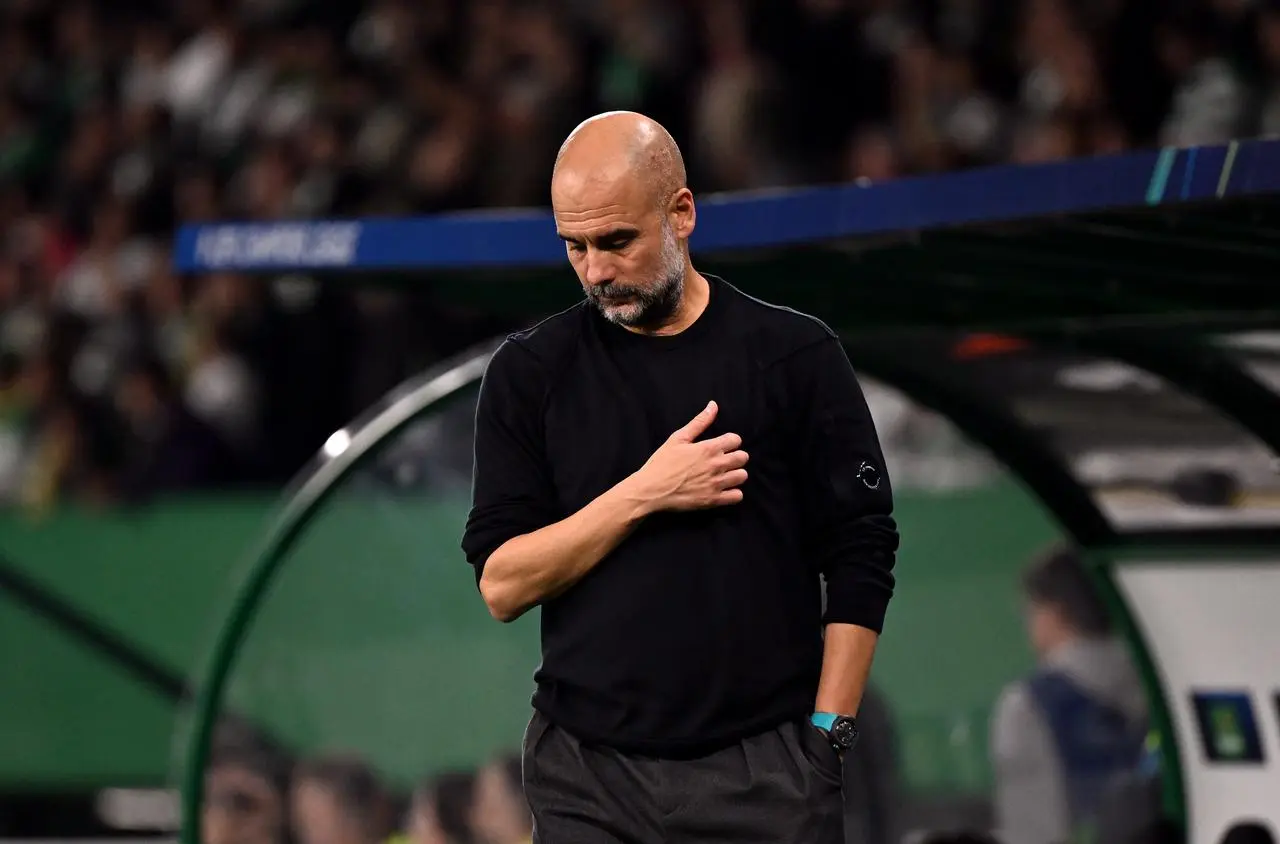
1165 236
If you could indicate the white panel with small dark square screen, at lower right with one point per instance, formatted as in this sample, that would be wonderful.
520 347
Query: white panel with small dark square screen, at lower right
1215 627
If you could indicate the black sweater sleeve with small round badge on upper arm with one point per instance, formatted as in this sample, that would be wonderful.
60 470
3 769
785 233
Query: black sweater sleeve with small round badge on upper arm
848 498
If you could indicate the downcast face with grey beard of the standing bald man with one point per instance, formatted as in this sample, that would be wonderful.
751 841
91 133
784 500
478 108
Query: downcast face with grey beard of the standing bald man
625 250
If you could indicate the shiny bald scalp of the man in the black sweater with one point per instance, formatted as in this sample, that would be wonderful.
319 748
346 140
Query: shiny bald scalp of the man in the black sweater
623 147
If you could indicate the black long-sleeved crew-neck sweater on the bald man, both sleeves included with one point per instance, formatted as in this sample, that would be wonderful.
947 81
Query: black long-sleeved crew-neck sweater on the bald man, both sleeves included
702 628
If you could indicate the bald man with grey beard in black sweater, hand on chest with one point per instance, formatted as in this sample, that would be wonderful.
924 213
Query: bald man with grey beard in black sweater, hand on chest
670 469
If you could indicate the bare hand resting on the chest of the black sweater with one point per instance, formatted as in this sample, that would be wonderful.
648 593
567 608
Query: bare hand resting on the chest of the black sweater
687 475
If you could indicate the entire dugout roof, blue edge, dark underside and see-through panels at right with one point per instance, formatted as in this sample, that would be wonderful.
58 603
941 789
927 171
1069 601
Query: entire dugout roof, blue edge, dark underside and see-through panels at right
1109 327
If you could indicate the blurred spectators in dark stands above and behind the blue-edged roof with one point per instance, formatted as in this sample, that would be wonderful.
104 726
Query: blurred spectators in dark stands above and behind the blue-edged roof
118 122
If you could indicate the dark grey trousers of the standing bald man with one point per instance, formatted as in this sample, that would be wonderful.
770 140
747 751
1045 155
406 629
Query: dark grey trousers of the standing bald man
783 787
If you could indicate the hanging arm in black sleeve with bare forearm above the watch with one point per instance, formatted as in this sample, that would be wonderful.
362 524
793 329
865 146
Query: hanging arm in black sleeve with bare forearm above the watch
852 530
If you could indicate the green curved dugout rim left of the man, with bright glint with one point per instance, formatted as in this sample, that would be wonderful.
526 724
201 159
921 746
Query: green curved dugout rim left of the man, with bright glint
400 409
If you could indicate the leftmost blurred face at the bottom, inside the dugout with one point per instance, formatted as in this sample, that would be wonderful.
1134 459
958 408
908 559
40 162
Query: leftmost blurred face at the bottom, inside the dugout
241 807
